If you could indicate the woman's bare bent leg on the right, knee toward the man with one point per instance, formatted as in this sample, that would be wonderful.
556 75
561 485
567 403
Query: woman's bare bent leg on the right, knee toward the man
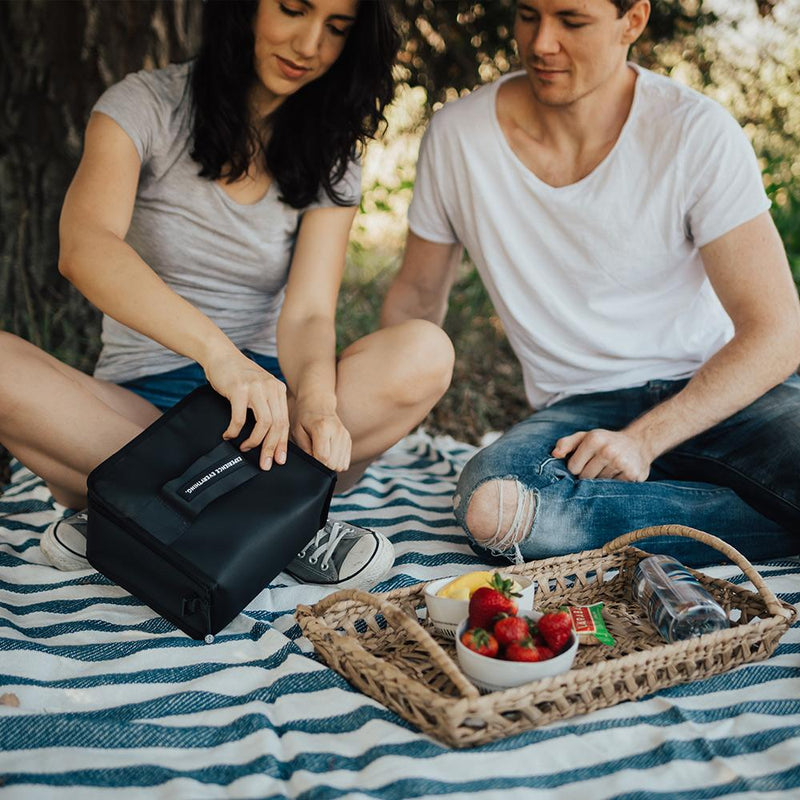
387 382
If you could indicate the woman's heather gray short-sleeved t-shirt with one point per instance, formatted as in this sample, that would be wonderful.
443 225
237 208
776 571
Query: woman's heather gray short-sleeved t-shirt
229 260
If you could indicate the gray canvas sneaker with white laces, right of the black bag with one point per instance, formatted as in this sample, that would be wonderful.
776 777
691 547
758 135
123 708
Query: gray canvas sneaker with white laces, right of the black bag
344 556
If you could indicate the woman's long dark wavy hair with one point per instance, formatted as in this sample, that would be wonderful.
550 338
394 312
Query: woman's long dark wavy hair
315 131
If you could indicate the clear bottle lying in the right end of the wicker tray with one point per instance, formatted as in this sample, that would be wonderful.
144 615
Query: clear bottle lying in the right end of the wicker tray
676 603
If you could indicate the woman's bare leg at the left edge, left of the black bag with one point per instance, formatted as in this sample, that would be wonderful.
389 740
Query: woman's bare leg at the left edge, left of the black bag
59 422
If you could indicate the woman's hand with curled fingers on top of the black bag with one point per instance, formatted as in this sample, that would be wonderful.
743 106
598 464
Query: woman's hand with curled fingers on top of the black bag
246 385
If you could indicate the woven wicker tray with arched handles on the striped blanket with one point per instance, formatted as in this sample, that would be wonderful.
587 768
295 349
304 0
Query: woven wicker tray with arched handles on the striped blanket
384 646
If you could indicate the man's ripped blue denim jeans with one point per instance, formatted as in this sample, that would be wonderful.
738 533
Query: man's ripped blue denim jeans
740 481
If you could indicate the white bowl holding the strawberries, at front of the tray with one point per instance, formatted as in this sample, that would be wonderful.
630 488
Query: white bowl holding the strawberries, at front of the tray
496 674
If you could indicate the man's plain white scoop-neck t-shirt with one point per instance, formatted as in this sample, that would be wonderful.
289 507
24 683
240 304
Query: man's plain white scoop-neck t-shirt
599 284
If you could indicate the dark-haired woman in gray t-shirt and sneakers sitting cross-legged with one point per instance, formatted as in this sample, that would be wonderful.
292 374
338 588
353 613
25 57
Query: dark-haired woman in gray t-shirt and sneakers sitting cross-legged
208 219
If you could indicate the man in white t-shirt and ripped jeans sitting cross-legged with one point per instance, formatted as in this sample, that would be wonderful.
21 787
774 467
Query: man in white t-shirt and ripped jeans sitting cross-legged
619 223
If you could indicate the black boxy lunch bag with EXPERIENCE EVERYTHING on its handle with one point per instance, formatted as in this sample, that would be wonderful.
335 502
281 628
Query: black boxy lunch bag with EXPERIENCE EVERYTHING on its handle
192 526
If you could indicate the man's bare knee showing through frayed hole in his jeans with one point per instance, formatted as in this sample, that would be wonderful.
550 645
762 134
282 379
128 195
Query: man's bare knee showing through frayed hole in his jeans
500 514
